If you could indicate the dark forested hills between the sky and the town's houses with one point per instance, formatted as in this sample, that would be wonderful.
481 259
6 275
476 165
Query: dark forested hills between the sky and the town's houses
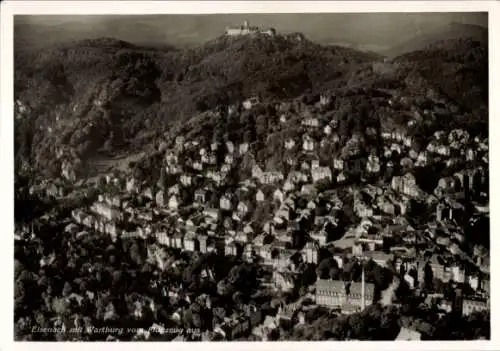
103 97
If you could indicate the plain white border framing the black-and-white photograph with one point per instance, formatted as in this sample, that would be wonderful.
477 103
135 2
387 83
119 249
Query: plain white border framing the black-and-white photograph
9 8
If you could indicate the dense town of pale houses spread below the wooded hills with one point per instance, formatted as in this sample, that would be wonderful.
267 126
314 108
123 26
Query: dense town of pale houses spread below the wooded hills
351 220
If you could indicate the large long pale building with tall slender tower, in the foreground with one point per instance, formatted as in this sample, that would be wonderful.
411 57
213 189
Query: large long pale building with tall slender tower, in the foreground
336 293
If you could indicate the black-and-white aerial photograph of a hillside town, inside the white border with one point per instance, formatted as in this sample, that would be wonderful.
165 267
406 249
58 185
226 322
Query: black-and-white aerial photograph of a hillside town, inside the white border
251 177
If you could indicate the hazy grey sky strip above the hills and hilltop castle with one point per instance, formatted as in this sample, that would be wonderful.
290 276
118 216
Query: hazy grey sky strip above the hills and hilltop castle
369 30
